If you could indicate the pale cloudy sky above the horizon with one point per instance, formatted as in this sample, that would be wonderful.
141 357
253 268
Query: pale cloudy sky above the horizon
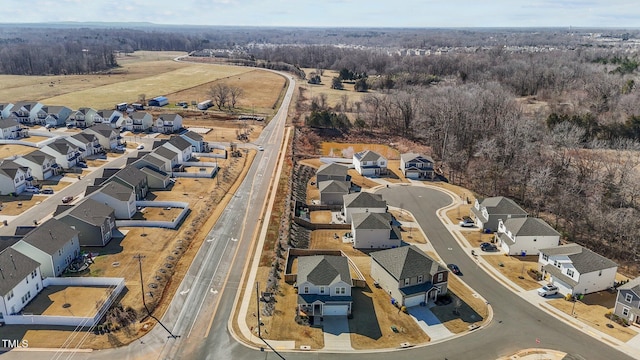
335 13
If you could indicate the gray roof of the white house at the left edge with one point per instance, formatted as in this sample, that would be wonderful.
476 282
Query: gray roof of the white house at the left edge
14 267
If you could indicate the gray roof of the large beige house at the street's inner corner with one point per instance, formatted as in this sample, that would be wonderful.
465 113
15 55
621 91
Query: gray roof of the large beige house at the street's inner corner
406 262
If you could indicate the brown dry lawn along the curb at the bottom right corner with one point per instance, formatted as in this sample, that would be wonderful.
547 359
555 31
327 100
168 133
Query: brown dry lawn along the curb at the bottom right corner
592 309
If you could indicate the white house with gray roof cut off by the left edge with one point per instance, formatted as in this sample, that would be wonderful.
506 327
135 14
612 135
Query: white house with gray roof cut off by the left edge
20 281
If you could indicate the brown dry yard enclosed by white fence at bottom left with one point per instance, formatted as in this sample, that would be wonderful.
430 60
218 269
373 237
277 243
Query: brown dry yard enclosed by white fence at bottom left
68 300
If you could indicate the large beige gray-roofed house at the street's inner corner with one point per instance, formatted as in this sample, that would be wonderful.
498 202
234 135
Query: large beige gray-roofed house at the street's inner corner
409 275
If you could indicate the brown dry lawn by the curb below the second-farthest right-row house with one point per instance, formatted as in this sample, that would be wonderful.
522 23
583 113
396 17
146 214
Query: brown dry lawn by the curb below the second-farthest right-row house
515 269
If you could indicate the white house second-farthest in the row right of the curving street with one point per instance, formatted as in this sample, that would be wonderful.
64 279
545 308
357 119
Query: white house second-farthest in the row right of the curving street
525 236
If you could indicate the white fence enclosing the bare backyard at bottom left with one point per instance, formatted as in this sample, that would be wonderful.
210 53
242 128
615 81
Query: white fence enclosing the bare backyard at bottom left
116 284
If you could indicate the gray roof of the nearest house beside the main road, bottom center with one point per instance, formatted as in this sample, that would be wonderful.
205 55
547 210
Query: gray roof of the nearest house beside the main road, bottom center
323 269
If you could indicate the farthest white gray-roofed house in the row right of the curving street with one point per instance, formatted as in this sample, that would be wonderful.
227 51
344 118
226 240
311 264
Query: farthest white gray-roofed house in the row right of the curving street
487 213
